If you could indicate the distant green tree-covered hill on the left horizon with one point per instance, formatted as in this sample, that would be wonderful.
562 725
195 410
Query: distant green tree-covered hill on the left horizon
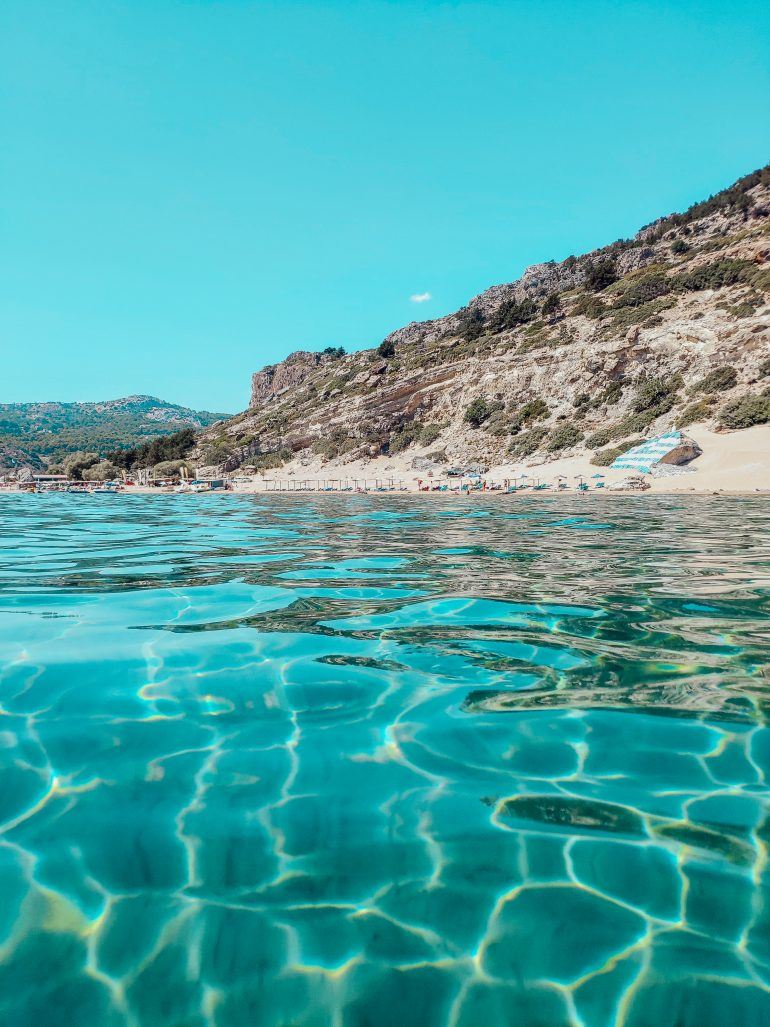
43 433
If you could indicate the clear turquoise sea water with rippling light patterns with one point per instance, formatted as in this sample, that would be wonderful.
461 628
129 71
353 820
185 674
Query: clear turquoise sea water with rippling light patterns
367 763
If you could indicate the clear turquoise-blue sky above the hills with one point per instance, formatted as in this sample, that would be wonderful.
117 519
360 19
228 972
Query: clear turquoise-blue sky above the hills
194 188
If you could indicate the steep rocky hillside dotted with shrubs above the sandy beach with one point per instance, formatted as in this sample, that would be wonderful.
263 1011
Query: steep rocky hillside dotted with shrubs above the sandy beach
668 329
